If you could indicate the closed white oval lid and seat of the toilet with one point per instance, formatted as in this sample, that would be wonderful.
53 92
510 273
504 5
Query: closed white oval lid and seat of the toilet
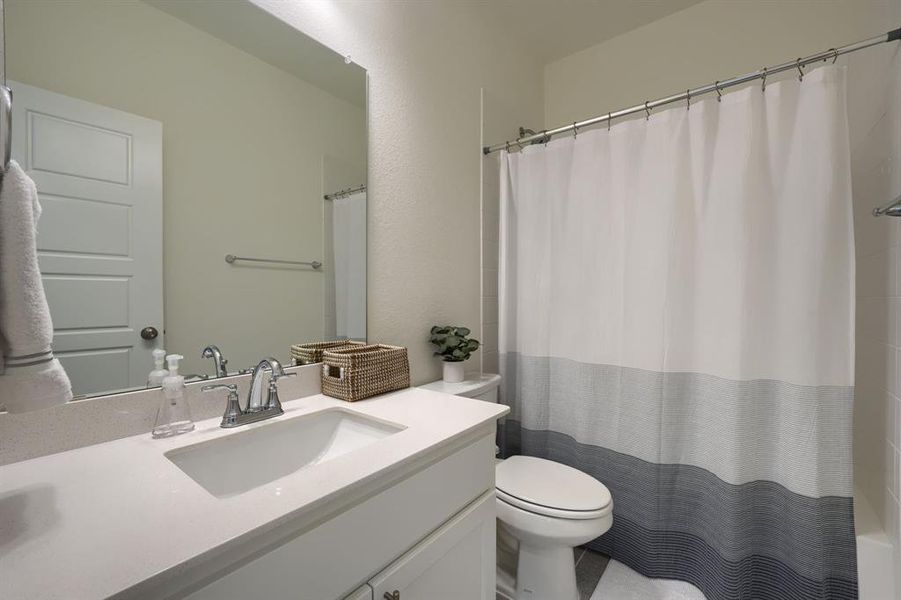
541 483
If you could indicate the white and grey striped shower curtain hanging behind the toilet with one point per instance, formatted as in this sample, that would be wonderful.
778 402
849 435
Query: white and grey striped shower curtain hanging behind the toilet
677 320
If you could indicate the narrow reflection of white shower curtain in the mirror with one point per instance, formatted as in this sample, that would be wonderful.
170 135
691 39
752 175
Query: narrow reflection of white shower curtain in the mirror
349 244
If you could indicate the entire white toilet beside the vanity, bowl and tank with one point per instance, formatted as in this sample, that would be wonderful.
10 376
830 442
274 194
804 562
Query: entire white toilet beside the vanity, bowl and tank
544 510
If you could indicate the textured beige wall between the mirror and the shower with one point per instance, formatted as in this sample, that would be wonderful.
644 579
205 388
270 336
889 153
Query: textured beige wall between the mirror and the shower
427 62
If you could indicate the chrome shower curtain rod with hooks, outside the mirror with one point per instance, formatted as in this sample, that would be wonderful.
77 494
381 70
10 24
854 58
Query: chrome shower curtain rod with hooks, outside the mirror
717 87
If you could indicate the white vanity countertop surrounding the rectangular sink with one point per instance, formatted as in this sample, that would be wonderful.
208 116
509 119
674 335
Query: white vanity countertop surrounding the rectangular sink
110 518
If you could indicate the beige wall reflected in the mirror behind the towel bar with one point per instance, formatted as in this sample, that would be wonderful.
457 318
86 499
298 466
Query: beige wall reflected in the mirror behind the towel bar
243 151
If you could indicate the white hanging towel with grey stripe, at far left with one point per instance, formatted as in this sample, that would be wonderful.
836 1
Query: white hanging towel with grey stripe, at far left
31 377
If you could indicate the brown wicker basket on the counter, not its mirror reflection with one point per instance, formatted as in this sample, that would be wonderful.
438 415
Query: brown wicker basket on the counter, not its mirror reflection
359 372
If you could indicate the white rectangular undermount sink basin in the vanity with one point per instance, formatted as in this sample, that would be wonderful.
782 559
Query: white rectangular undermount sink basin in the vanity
236 463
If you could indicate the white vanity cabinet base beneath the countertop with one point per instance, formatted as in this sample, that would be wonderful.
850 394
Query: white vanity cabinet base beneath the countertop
428 536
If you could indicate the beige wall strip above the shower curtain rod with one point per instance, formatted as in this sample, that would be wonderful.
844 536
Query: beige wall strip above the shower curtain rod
708 41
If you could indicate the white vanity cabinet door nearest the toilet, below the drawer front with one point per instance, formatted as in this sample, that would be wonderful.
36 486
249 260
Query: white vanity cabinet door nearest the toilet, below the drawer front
456 562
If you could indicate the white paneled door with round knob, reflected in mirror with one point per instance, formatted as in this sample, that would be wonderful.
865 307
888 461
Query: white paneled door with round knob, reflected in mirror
99 177
